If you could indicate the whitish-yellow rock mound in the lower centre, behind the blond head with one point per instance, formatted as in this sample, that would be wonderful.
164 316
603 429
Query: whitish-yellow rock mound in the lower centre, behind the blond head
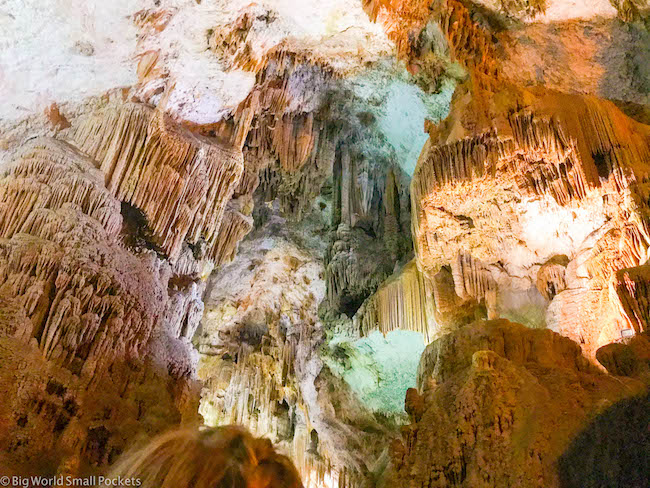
260 339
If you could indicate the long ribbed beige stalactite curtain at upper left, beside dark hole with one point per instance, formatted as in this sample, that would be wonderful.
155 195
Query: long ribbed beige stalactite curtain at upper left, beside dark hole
181 182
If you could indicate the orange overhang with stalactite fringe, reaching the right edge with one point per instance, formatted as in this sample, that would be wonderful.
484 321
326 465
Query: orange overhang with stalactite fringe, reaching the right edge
561 156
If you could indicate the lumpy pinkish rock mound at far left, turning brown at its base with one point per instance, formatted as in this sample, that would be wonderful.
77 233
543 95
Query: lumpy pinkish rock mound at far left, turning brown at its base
94 333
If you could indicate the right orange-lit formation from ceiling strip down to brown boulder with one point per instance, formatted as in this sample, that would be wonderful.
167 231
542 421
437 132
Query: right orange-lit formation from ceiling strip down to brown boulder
515 177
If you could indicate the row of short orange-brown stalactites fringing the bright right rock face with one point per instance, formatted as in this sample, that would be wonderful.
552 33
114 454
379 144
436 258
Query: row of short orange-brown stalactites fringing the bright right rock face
539 158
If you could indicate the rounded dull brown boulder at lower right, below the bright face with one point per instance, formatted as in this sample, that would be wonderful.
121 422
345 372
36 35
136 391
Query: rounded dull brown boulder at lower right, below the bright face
498 404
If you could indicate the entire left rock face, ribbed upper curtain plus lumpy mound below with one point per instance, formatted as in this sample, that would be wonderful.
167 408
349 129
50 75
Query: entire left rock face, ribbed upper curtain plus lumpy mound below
101 292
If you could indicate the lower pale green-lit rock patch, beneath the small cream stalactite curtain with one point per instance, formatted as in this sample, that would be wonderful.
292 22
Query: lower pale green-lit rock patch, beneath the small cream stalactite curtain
380 369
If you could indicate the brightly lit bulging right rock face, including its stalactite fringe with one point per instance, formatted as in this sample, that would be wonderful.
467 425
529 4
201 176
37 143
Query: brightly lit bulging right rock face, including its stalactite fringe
501 239
